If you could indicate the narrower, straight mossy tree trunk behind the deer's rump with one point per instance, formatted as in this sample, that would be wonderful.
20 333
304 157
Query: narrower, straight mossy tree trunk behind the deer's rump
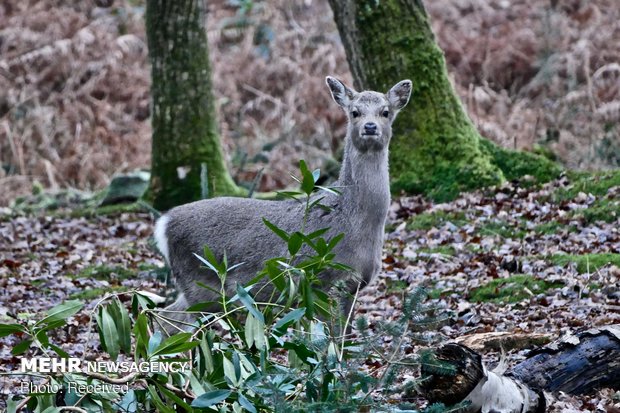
184 120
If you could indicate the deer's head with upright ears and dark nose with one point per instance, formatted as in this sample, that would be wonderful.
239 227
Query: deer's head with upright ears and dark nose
370 114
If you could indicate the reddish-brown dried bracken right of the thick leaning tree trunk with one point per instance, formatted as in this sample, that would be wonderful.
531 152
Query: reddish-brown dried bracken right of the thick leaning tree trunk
538 72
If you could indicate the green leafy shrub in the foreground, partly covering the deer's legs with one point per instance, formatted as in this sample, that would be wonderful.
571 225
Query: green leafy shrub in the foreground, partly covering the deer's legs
288 353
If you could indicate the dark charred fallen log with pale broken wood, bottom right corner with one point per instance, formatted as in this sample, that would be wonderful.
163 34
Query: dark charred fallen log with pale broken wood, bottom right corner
576 364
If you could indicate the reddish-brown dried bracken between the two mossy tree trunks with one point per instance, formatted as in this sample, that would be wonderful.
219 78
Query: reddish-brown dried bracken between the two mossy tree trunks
269 66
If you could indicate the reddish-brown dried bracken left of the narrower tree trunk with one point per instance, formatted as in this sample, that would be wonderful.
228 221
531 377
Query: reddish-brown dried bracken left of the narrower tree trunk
74 100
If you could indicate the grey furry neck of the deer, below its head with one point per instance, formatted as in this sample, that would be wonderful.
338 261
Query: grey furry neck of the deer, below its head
365 184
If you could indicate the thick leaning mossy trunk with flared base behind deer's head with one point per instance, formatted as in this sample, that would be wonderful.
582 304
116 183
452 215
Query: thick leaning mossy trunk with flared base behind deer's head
436 149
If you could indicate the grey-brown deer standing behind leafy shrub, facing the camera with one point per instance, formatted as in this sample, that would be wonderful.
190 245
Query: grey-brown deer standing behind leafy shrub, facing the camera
235 227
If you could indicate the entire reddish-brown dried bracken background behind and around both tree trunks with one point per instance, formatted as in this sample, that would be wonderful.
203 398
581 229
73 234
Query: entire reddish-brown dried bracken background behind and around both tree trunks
74 83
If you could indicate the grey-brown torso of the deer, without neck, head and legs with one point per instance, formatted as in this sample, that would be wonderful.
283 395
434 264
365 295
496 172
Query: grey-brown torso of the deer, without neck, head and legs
234 226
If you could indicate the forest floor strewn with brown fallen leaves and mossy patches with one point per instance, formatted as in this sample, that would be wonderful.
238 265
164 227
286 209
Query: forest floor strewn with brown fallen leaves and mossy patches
529 260
